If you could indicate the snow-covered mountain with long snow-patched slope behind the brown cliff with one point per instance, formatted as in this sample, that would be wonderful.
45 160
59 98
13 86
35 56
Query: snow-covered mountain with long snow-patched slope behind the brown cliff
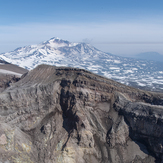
133 72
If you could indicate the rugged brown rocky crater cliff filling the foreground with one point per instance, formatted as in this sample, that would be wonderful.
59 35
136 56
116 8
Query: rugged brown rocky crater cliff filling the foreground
69 115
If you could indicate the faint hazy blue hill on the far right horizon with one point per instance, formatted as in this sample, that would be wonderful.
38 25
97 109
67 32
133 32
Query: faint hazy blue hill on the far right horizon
153 56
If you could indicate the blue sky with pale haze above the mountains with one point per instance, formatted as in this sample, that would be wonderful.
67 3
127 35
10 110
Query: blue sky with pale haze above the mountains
122 27
